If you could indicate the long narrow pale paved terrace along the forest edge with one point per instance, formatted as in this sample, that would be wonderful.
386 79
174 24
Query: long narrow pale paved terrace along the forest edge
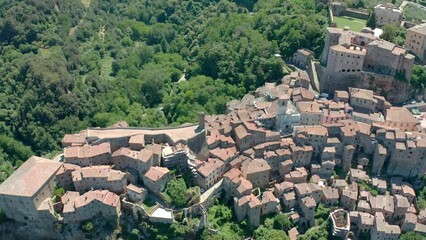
176 134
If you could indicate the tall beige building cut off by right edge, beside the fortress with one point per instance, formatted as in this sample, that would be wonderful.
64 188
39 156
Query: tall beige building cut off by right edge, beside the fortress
415 41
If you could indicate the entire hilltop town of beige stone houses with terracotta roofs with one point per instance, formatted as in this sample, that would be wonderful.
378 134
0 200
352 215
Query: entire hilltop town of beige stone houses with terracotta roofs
326 136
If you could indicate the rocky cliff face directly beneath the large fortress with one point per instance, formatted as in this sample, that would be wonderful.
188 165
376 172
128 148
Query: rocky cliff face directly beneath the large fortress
394 90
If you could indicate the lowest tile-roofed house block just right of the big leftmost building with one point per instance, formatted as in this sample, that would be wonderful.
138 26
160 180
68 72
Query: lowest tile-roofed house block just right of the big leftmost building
91 204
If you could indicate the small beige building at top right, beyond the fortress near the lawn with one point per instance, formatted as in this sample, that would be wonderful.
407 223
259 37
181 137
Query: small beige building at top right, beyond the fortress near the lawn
387 14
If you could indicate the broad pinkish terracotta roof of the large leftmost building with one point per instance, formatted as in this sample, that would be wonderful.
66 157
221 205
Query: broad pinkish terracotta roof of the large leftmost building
30 177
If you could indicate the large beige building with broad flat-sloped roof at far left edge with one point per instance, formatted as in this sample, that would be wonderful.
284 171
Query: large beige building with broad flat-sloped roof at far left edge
26 194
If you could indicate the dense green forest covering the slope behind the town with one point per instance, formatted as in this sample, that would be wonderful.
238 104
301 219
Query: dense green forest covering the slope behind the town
68 65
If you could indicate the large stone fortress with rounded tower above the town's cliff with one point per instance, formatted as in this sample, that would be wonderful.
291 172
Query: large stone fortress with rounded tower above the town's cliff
348 53
